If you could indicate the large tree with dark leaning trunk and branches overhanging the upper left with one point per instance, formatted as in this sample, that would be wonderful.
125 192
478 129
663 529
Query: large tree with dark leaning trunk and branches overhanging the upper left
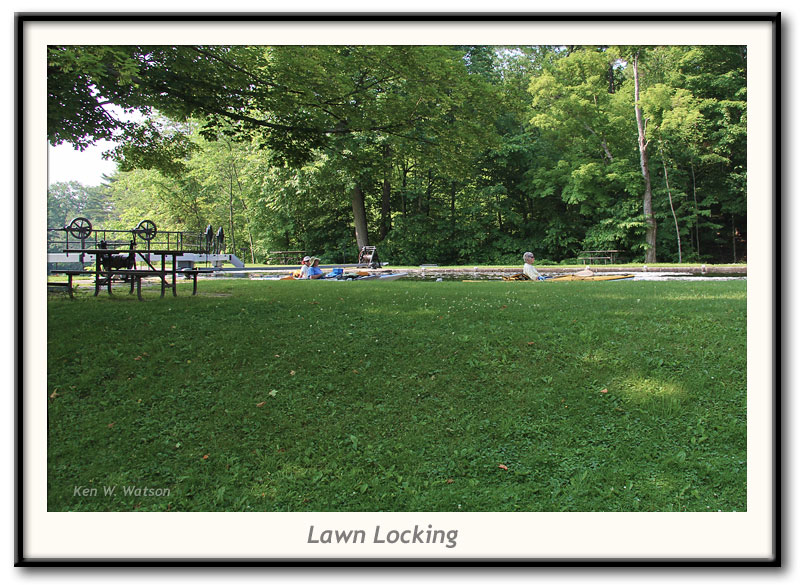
292 100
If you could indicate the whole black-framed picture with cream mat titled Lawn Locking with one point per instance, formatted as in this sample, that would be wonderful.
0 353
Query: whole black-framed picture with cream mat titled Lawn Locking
216 424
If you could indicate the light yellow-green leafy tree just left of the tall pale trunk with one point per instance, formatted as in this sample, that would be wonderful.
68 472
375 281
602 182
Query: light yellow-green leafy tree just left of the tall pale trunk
584 171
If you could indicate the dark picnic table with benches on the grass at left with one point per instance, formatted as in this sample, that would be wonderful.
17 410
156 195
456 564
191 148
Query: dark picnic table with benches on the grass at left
105 272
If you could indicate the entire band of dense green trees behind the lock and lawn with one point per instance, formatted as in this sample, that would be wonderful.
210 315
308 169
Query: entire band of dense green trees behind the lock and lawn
434 154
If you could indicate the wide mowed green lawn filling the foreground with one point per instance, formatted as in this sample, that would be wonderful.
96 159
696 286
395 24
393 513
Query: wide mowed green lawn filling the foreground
400 396
